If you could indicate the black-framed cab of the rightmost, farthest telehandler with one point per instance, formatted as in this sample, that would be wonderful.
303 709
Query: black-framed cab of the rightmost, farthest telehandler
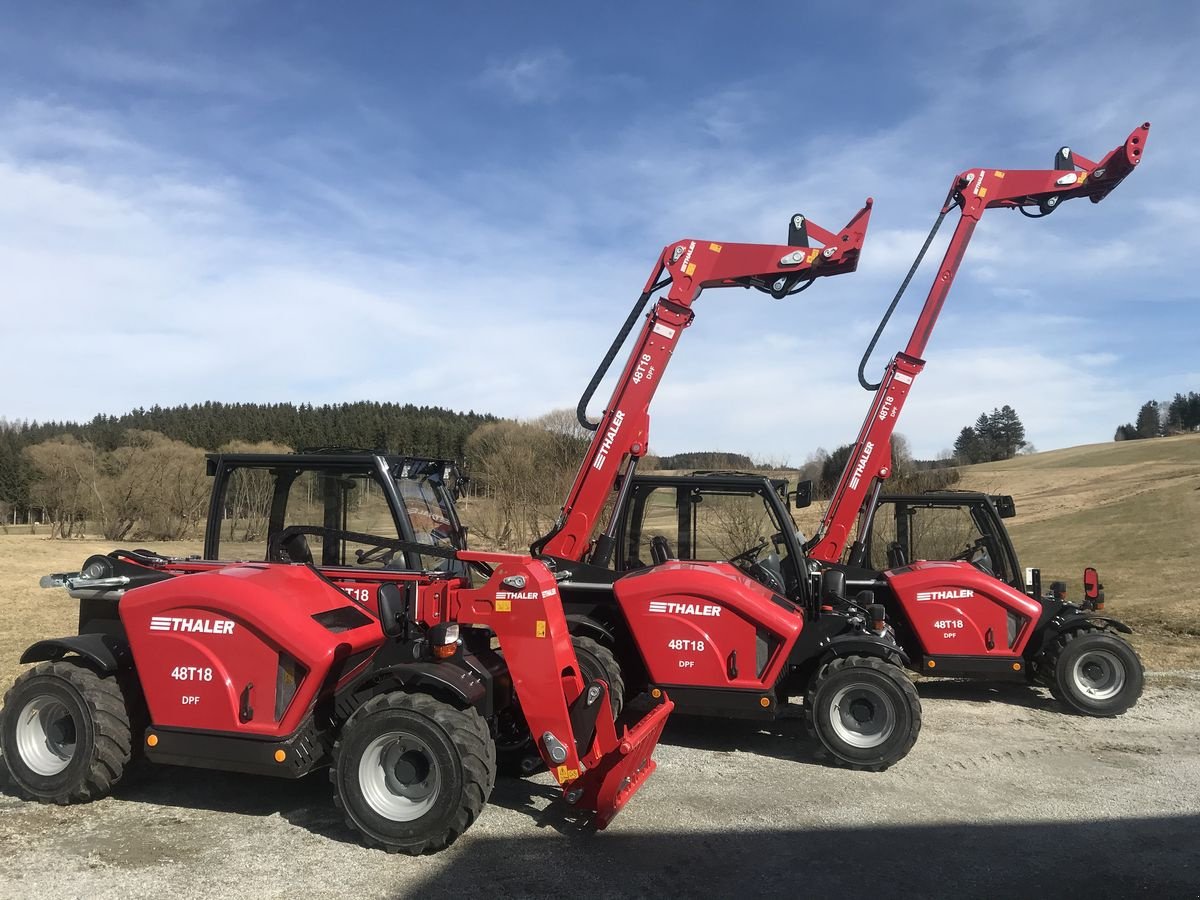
945 525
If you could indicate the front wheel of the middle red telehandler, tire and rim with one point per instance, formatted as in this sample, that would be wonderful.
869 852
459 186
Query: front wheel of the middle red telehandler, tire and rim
865 711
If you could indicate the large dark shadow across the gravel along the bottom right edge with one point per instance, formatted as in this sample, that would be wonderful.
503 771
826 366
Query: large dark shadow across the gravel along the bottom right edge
1115 859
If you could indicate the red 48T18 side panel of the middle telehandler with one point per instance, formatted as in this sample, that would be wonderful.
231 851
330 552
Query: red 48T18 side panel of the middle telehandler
709 626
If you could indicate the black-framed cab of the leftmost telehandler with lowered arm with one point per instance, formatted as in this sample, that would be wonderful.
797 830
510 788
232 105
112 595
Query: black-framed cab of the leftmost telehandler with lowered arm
351 496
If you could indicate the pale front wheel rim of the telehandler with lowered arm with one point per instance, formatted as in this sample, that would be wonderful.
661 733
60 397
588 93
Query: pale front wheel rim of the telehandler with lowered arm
400 777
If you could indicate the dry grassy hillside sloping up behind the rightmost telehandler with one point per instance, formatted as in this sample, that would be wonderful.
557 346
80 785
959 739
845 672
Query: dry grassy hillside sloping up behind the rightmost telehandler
1131 509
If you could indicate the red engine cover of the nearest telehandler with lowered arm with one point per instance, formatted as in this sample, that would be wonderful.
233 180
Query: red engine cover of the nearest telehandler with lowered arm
218 644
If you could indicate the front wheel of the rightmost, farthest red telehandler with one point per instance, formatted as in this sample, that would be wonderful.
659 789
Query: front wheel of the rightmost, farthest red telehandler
1094 673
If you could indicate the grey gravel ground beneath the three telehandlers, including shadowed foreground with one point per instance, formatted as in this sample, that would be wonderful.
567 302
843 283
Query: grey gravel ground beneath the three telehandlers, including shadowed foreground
1004 796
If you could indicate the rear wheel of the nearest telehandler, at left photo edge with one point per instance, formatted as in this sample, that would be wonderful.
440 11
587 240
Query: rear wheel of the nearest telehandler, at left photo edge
65 734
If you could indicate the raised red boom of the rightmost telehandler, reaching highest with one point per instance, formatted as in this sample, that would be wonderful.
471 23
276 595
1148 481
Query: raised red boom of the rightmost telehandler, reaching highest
974 191
